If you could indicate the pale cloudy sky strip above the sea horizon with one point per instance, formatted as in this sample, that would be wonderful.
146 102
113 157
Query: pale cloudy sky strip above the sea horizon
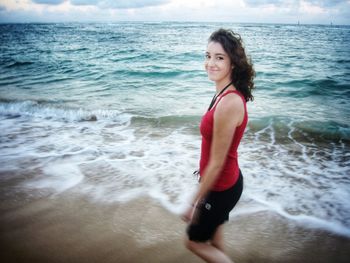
257 11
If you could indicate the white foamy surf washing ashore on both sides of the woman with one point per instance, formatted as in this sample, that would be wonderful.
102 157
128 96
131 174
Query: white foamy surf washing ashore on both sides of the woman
110 162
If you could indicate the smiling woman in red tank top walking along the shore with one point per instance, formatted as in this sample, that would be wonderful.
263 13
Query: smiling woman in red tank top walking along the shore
222 127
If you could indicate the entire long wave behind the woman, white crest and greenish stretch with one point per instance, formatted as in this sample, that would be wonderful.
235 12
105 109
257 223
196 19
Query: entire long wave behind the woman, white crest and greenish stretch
282 129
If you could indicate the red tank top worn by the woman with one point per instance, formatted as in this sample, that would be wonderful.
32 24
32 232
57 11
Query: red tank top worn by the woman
230 171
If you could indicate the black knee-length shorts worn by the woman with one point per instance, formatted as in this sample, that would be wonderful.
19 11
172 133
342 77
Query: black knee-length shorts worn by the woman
213 211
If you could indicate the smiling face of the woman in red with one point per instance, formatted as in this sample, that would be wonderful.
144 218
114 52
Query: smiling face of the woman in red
217 63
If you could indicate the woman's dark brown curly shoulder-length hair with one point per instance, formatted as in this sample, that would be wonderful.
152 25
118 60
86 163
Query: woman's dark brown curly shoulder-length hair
243 73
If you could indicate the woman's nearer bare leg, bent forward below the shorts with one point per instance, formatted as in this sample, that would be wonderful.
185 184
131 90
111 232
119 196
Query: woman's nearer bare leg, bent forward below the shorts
207 252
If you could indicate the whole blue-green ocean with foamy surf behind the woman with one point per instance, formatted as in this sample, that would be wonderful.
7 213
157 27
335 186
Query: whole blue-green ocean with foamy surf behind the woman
111 112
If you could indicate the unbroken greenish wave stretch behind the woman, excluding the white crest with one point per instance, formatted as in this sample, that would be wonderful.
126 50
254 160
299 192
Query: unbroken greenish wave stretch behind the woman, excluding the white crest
283 129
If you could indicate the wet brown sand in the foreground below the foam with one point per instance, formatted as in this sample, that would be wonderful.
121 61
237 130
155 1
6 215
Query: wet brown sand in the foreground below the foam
69 228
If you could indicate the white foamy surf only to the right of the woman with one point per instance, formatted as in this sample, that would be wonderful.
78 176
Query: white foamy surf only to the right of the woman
299 181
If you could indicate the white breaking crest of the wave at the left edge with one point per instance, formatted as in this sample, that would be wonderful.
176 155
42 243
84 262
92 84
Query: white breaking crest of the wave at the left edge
56 111
